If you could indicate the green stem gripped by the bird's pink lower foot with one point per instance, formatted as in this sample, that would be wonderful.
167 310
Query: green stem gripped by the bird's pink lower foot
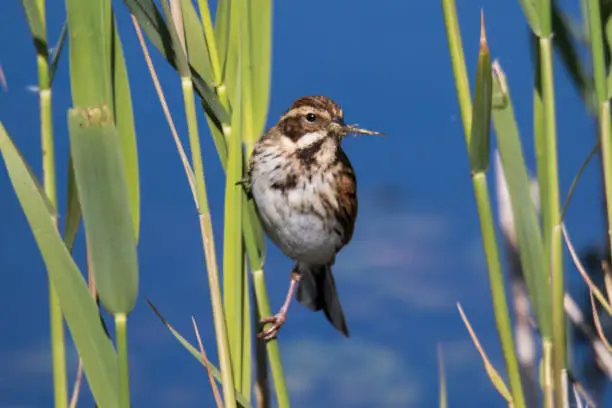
276 368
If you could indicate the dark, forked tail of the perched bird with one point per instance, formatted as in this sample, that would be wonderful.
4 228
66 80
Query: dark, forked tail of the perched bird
317 290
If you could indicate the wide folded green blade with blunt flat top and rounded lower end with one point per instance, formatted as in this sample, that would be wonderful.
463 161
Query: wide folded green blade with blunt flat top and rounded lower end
102 189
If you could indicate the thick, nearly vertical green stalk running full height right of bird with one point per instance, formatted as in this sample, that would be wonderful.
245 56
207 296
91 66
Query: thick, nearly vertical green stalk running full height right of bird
552 199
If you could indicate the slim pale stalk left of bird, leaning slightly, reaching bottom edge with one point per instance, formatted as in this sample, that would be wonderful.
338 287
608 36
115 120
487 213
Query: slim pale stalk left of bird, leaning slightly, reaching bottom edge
209 245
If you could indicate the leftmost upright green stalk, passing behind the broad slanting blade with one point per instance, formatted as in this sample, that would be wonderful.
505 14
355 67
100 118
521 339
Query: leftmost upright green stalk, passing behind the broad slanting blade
58 349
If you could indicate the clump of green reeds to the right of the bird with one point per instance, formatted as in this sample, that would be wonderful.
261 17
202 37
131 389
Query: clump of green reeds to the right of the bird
536 240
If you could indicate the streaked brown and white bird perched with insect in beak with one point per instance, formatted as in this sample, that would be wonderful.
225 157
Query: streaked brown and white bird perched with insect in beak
306 194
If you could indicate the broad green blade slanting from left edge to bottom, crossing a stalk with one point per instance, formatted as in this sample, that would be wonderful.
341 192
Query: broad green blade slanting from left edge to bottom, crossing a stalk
81 312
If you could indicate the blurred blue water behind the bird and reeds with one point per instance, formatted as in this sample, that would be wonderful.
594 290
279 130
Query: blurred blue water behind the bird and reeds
416 250
